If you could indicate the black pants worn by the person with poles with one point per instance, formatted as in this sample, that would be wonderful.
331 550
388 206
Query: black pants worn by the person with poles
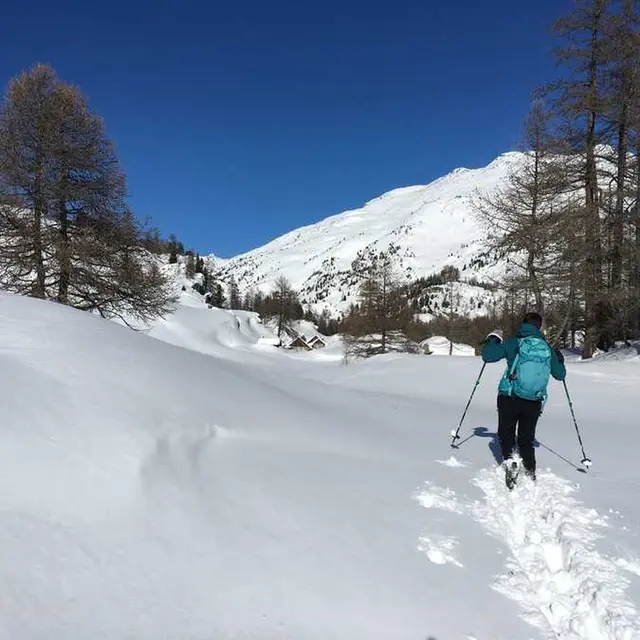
516 412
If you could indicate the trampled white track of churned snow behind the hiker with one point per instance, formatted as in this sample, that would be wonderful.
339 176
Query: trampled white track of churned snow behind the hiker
553 571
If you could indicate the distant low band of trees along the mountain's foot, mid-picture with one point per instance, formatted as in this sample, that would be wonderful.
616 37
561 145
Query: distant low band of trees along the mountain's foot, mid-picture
383 318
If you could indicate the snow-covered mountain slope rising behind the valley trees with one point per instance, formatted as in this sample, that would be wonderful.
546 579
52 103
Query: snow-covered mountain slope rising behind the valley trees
430 227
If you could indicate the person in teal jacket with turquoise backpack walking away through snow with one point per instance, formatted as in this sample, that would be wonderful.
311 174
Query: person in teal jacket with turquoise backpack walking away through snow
523 389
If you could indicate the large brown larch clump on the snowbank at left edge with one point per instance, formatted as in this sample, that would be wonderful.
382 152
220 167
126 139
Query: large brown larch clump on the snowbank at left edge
65 230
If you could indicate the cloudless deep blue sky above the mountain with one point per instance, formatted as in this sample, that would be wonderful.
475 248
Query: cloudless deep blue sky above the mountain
238 121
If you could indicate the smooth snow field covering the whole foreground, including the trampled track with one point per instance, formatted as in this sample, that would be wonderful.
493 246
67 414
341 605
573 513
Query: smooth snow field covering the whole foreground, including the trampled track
194 483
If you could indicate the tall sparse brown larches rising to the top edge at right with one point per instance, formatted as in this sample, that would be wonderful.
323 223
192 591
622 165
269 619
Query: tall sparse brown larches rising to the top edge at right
567 221
